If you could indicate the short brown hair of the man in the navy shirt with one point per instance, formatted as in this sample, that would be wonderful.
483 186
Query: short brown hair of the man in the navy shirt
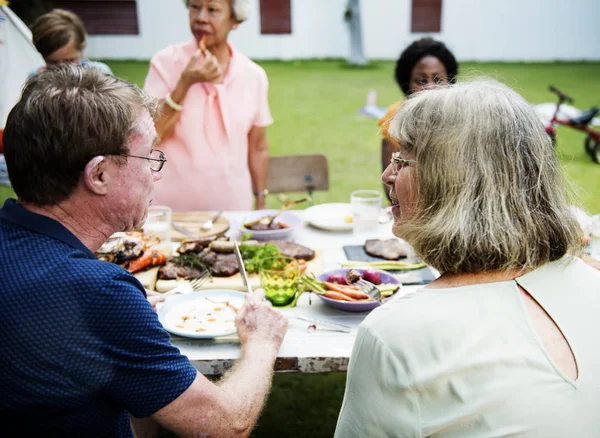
67 115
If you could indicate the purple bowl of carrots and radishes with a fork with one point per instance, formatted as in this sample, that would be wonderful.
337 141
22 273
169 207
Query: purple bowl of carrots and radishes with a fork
349 298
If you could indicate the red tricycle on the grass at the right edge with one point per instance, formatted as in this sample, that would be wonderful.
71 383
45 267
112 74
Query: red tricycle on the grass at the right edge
581 123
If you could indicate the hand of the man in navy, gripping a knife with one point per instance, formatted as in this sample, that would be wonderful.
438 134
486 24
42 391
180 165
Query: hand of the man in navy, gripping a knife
257 320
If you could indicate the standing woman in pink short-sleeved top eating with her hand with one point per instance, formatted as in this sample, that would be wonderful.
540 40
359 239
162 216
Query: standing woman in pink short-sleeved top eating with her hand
213 115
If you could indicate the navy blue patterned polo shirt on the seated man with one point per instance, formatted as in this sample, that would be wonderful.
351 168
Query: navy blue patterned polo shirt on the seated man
80 346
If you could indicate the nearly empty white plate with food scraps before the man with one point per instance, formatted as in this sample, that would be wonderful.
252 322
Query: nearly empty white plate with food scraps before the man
193 316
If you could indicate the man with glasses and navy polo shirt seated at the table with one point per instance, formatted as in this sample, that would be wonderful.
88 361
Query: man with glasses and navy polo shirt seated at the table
82 348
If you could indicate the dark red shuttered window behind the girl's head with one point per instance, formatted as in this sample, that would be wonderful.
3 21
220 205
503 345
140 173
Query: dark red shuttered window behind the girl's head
104 17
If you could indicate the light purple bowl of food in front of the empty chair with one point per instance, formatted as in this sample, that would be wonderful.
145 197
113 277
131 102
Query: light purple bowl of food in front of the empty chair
268 225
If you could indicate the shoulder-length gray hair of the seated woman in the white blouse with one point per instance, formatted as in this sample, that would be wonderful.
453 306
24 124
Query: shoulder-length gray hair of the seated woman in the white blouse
490 192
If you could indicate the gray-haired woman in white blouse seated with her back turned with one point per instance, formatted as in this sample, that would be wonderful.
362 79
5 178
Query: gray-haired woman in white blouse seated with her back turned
504 342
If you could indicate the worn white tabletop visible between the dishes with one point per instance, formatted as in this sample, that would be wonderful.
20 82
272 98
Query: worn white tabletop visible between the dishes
303 350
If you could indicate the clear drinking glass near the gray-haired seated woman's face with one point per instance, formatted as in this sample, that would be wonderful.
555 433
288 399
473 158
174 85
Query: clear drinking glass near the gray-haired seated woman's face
365 206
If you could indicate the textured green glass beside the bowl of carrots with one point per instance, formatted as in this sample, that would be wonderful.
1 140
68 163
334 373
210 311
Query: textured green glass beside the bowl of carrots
279 278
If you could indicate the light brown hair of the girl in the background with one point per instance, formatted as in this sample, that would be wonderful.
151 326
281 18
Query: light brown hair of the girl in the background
56 29
